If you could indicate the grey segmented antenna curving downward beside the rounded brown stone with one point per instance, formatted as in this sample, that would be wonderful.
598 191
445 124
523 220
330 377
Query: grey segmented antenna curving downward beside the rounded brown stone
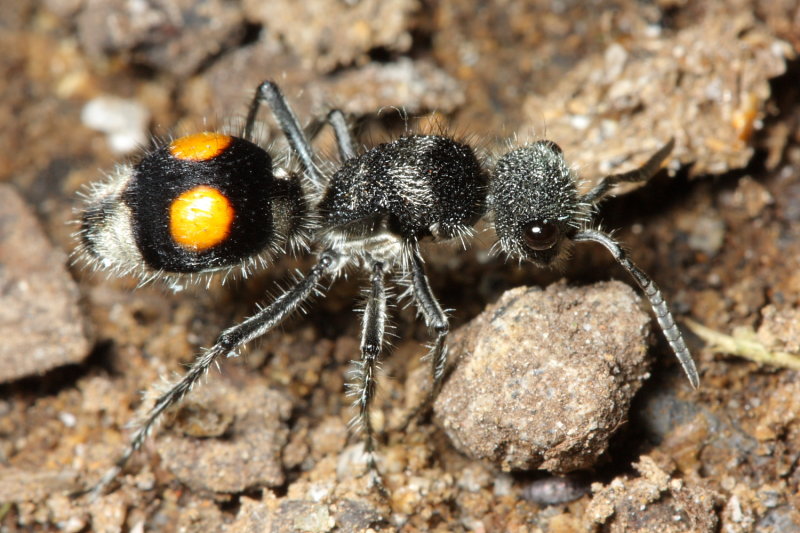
653 294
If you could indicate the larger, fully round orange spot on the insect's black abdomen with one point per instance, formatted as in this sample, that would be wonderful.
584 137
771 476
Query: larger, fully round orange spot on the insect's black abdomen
200 218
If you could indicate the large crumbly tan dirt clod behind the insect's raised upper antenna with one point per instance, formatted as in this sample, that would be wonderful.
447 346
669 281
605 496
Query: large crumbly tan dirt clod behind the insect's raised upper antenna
706 86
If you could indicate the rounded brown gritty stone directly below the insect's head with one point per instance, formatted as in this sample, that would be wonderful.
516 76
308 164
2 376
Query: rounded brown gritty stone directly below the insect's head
545 377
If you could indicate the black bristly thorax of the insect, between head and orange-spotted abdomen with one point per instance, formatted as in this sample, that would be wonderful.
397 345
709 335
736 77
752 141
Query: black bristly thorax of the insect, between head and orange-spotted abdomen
415 186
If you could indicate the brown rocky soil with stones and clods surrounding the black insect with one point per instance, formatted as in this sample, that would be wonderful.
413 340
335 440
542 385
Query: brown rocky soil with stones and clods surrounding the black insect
564 409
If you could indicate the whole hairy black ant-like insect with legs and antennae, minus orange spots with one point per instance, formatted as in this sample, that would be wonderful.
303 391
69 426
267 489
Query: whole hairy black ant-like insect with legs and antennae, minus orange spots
372 213
